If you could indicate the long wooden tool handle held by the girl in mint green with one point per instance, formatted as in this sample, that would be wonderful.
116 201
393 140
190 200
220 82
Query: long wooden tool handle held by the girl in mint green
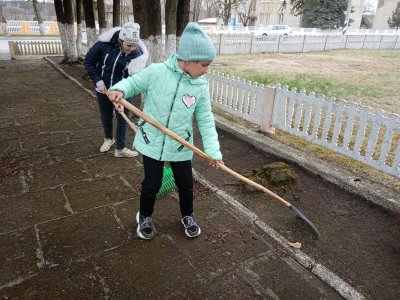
200 153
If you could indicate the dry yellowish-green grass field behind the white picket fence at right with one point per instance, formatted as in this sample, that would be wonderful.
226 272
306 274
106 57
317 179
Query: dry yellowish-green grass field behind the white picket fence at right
366 77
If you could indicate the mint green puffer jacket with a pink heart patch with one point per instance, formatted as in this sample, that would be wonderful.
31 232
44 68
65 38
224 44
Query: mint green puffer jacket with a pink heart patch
172 98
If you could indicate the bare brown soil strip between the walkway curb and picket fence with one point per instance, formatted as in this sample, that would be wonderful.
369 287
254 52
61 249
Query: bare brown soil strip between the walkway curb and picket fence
359 241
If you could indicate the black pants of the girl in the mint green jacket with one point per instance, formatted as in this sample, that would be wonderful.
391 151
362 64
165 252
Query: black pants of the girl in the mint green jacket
153 172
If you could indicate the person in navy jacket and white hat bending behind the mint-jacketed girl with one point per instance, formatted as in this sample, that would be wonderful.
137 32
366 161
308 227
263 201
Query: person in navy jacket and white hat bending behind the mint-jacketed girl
119 52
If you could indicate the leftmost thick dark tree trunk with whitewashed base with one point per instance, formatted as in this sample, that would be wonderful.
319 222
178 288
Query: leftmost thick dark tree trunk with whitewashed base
65 21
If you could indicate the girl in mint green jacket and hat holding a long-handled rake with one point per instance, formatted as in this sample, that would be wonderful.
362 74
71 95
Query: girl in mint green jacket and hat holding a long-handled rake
175 92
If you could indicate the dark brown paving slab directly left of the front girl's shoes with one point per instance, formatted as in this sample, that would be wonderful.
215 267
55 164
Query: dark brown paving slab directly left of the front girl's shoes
74 238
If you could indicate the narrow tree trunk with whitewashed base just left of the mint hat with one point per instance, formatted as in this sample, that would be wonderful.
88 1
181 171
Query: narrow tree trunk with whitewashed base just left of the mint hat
170 27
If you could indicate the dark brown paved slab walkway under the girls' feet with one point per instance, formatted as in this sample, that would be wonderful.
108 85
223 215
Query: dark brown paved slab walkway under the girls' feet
67 214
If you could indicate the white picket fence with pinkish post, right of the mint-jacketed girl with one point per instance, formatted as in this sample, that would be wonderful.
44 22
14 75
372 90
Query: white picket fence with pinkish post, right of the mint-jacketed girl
351 130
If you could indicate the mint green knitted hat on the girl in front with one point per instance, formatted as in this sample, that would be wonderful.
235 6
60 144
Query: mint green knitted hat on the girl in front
195 45
